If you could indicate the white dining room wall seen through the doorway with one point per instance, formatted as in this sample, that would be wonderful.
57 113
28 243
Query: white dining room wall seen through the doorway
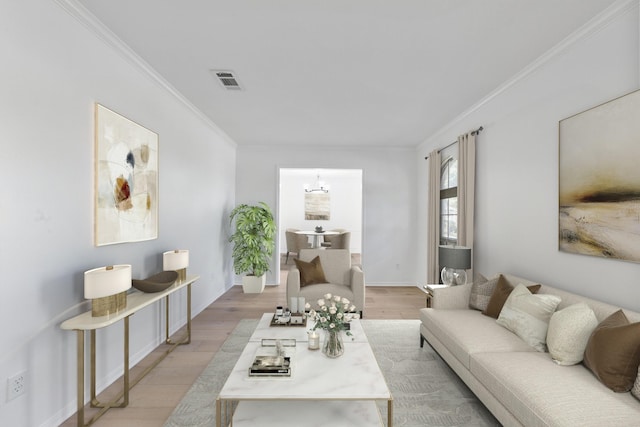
345 200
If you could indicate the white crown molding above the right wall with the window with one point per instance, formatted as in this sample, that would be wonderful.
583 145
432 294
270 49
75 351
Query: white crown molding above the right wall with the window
593 26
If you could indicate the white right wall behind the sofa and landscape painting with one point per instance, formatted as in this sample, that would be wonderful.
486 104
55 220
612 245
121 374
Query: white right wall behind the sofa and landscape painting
517 162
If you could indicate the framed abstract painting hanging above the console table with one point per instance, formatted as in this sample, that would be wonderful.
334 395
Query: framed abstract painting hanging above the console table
126 180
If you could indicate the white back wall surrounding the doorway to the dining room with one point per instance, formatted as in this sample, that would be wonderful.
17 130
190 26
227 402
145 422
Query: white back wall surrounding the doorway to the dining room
389 188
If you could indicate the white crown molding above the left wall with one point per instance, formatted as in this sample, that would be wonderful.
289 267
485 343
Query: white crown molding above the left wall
102 32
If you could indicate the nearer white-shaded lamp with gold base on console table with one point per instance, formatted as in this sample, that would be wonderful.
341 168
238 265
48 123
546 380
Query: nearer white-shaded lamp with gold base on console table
107 287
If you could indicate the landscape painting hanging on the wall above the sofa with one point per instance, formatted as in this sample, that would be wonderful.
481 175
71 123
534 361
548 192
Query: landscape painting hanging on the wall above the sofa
599 180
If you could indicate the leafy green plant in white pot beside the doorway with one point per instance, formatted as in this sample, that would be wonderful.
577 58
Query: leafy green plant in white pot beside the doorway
253 244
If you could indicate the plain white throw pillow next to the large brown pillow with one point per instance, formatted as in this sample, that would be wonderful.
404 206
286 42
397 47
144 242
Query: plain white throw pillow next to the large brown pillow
569 332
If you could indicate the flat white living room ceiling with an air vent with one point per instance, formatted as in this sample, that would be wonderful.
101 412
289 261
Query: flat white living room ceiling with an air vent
340 73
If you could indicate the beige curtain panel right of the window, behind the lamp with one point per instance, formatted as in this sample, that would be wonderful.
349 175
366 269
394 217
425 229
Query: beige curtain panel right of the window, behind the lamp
466 190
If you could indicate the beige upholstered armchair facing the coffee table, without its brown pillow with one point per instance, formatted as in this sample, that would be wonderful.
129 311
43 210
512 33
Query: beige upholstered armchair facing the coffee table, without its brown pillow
342 278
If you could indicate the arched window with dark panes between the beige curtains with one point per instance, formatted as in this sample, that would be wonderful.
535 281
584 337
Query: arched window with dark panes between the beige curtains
449 201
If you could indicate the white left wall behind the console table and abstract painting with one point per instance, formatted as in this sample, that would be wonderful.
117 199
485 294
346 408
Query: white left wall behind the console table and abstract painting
53 70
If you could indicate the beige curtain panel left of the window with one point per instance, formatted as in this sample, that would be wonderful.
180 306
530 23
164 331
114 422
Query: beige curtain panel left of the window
433 226
